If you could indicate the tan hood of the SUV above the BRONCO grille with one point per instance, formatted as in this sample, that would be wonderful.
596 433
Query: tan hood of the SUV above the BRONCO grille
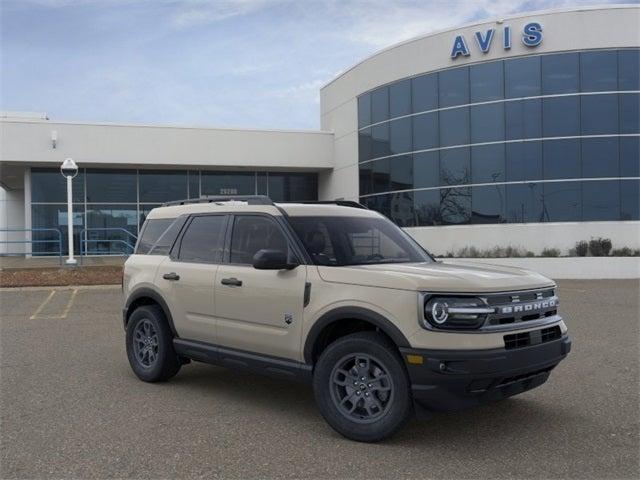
437 277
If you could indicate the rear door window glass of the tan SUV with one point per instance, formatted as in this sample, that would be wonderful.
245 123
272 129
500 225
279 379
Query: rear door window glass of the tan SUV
203 241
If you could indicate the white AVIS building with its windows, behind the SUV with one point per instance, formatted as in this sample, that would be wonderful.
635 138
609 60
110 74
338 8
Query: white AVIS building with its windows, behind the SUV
522 131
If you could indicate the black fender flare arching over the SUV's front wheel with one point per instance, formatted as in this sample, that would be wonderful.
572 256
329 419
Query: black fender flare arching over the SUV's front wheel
357 313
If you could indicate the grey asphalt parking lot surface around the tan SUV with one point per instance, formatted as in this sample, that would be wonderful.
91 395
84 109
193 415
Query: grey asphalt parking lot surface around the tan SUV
71 407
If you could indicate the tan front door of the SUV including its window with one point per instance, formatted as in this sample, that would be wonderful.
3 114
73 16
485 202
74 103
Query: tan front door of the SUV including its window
259 310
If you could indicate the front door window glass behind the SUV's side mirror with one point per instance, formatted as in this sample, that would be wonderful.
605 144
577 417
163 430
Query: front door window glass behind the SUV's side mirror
252 233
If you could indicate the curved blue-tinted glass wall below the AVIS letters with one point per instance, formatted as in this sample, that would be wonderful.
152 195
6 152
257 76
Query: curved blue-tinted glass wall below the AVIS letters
540 138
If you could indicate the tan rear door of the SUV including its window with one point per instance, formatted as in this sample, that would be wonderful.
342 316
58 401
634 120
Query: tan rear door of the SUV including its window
188 276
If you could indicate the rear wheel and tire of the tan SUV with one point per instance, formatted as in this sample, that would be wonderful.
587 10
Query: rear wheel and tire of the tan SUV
150 345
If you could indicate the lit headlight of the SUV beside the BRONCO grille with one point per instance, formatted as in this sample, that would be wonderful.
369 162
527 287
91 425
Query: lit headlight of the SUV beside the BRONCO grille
455 312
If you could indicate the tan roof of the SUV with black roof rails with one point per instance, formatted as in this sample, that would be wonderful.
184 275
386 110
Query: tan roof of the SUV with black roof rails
293 209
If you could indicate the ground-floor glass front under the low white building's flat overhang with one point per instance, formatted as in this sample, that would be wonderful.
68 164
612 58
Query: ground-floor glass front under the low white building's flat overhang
111 205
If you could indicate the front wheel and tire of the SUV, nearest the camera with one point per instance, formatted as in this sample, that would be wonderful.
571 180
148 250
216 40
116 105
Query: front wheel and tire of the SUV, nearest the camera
365 411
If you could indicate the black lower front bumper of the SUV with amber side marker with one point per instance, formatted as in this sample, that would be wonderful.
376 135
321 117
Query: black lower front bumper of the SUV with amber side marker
449 380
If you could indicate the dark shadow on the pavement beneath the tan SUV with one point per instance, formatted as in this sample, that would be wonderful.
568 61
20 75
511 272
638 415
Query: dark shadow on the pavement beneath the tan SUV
266 396
